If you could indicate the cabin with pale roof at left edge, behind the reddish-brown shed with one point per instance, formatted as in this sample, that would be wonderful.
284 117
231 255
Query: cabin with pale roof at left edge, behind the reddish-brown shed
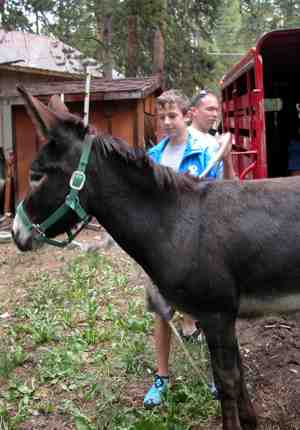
31 59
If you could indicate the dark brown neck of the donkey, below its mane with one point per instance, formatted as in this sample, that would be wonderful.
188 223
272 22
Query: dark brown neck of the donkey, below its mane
128 203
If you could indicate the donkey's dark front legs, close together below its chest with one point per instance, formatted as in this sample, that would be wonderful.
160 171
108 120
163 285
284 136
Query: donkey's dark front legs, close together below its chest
237 411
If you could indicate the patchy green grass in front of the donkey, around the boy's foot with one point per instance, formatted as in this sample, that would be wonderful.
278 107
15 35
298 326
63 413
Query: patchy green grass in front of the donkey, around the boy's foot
79 347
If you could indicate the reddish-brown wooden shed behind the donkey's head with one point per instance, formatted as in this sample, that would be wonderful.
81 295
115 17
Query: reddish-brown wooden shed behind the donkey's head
124 108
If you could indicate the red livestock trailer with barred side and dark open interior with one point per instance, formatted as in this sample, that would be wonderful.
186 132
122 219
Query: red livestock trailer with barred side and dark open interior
261 105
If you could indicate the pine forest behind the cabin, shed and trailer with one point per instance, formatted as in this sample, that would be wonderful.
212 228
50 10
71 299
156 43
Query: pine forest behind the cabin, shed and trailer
203 39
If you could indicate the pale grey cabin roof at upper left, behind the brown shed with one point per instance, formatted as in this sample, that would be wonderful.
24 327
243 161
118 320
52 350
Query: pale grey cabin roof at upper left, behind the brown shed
33 53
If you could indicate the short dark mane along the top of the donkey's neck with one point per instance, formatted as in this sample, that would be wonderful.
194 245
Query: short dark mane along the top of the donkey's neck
164 177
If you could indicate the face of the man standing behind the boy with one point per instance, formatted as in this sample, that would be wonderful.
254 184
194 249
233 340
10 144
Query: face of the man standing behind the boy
206 113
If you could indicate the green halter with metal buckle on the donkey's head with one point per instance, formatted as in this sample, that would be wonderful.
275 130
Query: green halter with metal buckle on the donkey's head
71 202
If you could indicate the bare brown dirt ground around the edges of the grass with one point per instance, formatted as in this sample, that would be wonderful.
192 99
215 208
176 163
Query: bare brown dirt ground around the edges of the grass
270 346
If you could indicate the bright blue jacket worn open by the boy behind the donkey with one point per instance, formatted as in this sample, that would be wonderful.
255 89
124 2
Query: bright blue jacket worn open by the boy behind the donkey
196 157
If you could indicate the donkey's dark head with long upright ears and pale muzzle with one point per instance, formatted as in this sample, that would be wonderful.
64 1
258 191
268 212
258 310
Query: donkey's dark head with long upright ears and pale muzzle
63 135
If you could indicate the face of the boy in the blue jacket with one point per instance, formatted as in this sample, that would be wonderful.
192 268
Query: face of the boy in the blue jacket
171 119
